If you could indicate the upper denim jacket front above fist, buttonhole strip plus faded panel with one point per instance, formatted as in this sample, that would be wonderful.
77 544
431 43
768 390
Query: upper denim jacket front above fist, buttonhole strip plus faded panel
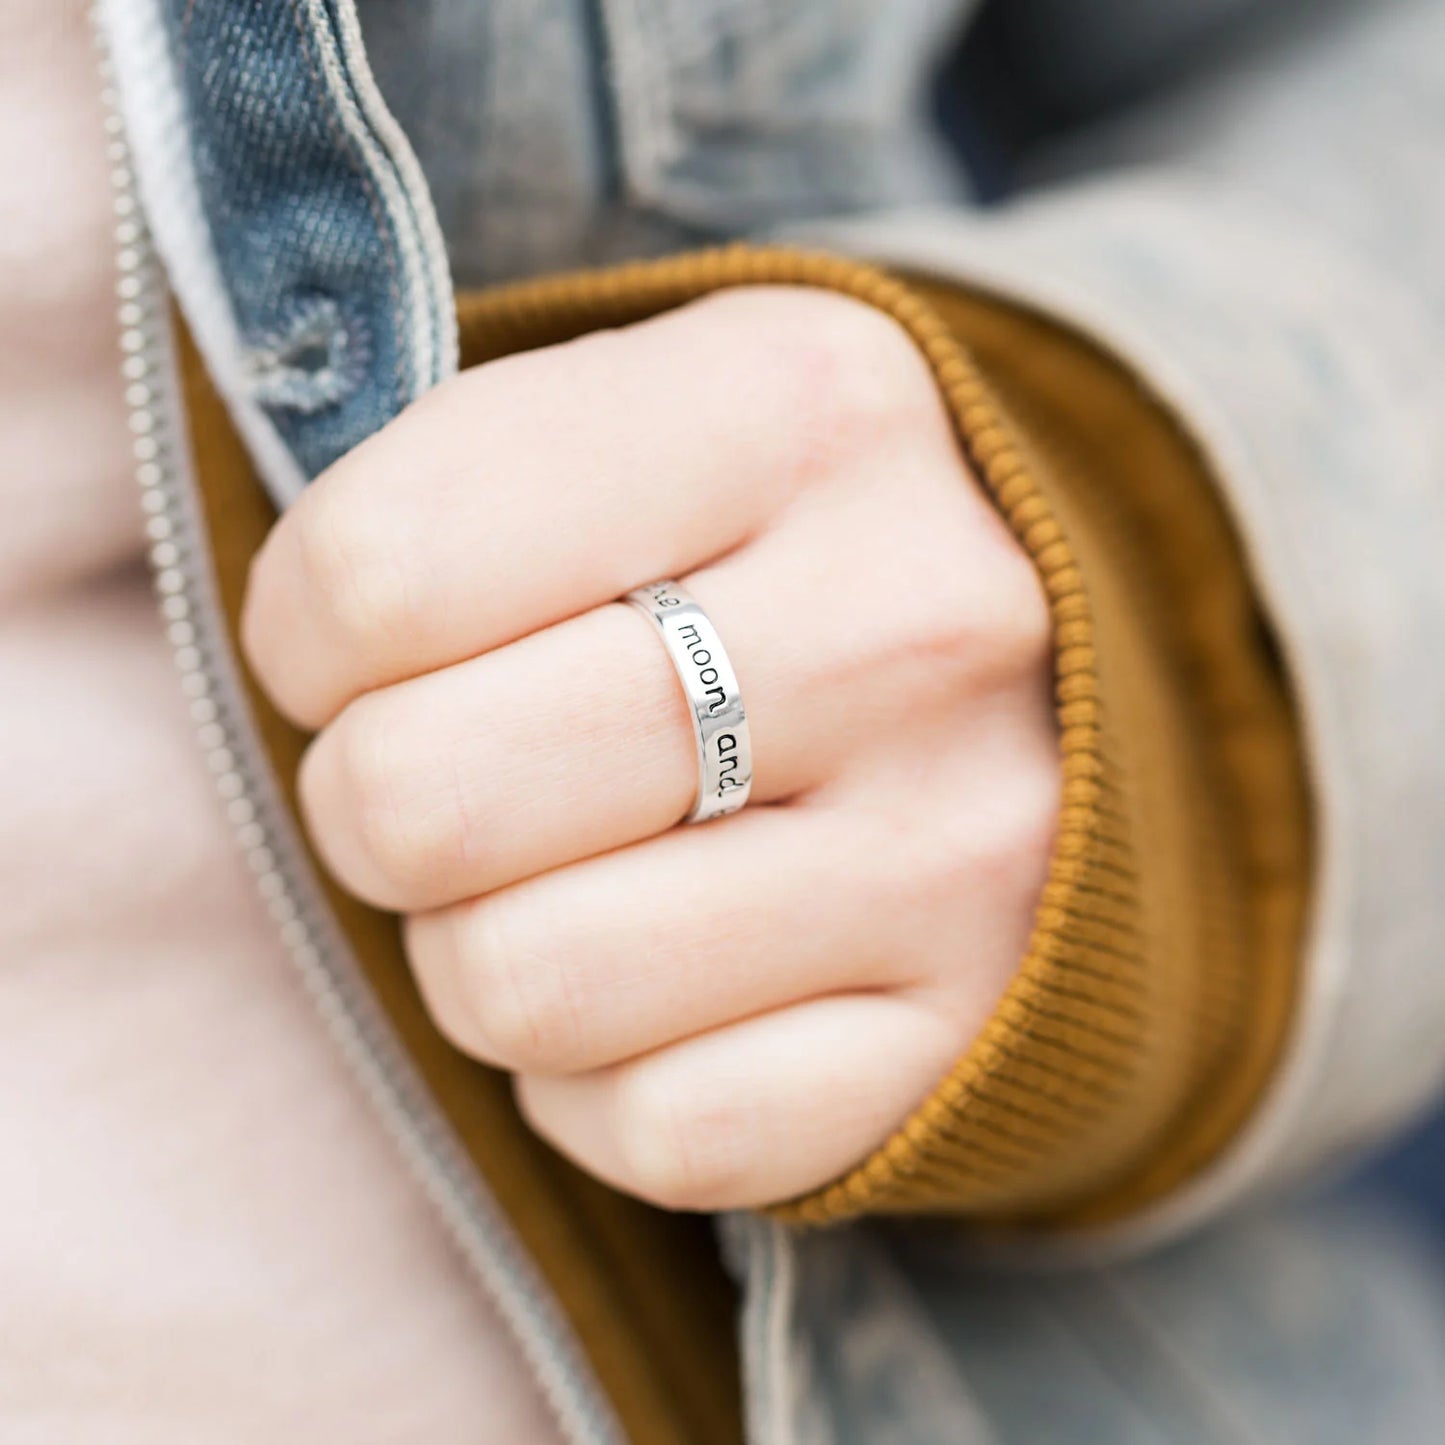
551 132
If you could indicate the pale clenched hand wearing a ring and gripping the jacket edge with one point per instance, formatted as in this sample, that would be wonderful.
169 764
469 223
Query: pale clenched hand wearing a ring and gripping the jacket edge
706 1017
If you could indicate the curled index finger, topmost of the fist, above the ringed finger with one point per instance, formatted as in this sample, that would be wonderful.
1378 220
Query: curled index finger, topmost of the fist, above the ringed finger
544 485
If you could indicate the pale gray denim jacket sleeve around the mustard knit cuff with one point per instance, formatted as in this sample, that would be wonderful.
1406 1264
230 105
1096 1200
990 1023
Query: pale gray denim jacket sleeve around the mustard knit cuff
1265 245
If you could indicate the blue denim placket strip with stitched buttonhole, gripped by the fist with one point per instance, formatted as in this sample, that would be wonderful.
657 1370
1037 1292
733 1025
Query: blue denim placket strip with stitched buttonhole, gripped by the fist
313 232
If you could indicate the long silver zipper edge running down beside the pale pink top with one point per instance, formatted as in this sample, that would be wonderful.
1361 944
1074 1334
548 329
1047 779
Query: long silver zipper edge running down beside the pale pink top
293 900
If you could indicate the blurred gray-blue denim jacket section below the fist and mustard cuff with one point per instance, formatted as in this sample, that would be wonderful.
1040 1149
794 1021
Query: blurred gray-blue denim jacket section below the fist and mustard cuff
1320 1323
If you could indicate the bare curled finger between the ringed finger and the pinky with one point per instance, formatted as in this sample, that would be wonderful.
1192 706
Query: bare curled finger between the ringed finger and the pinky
626 953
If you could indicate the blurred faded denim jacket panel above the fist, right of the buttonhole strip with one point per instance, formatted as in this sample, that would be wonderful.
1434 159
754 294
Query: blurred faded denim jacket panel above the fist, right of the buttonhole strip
573 132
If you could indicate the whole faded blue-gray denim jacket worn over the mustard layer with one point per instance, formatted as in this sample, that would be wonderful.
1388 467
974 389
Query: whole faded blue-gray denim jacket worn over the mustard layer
316 176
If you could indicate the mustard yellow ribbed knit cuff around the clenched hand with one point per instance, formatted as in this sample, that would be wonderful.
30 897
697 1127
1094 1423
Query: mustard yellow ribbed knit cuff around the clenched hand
1155 996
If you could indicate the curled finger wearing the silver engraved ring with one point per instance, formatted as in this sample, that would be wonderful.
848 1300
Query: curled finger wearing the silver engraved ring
570 742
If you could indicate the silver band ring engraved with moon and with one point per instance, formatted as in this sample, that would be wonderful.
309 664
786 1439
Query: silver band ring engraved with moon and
697 652
